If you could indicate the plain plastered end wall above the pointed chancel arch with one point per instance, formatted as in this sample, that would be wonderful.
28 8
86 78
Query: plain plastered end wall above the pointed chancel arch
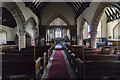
52 9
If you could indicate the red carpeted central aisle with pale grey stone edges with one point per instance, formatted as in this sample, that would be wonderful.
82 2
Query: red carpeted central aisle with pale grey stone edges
58 66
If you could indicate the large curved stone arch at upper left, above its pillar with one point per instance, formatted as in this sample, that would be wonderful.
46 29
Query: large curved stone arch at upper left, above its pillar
17 14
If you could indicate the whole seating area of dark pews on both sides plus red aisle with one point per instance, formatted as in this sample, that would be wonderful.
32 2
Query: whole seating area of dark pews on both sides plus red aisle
60 62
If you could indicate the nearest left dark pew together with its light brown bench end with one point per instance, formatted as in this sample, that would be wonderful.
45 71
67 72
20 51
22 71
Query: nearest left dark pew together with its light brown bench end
21 59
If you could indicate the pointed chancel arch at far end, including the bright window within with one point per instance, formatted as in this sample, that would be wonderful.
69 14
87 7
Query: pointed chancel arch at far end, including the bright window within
58 28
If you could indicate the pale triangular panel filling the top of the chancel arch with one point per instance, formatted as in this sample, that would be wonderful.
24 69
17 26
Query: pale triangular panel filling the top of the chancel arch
58 22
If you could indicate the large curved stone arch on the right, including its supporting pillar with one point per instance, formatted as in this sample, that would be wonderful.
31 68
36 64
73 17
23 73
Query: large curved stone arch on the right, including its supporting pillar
95 21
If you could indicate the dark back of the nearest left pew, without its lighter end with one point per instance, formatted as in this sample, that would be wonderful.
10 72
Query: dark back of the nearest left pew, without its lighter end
14 64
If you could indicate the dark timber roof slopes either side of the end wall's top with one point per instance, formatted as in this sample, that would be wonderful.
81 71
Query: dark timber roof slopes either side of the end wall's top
77 5
